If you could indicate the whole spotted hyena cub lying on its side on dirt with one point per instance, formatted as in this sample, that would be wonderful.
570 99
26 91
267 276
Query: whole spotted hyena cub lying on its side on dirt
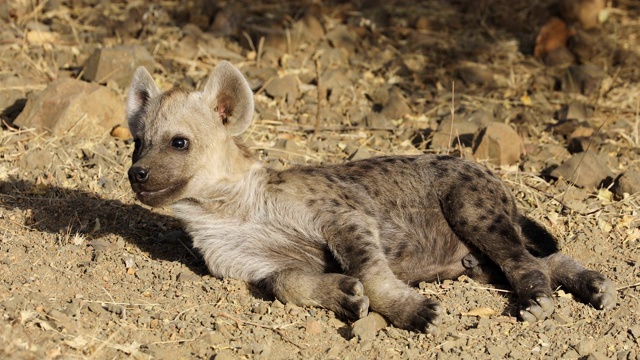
348 237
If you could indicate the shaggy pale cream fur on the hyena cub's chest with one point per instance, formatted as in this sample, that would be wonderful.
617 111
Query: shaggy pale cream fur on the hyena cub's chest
247 233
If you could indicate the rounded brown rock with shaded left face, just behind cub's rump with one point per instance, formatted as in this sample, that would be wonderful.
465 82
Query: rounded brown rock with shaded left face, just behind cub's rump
498 143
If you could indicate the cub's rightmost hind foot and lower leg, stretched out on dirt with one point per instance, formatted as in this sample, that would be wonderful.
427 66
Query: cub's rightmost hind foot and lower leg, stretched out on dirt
588 285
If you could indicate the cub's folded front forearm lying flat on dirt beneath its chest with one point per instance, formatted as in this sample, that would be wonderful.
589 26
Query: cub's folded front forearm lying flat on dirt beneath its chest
342 294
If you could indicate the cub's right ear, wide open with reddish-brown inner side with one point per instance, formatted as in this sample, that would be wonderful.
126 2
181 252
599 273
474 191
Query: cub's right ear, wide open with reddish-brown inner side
229 95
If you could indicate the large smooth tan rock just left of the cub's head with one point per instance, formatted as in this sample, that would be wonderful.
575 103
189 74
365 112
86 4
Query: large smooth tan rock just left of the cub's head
72 106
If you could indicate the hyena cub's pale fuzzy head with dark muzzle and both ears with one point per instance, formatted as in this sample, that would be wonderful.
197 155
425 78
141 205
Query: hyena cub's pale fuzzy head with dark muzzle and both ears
184 140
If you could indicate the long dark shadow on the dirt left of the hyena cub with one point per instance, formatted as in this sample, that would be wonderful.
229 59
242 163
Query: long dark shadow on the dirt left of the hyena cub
69 211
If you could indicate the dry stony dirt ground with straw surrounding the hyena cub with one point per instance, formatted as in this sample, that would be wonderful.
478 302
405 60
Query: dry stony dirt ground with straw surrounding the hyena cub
88 272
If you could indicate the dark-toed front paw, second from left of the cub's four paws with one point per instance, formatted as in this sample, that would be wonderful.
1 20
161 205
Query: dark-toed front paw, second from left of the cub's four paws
422 316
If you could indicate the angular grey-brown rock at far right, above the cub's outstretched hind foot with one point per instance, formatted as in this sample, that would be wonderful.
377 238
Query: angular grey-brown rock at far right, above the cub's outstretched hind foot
585 169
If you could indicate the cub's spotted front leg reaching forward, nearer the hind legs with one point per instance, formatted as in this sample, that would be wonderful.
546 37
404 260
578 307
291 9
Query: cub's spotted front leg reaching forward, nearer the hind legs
354 242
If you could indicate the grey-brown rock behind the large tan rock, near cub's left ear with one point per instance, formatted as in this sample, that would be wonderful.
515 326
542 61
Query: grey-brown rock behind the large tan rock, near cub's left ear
116 64
